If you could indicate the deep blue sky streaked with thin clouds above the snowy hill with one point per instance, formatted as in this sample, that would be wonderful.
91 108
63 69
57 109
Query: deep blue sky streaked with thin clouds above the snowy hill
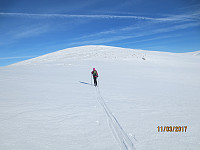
32 28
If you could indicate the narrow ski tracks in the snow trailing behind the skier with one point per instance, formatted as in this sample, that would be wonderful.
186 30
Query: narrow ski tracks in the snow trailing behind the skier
118 132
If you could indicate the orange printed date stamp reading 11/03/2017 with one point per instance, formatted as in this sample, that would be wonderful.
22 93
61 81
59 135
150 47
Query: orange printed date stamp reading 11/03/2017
172 128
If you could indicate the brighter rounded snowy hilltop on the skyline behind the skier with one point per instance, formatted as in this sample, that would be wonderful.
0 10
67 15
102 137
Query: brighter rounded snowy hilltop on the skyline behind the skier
94 52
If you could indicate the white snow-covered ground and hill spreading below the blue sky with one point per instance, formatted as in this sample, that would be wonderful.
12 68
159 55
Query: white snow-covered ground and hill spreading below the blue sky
48 103
